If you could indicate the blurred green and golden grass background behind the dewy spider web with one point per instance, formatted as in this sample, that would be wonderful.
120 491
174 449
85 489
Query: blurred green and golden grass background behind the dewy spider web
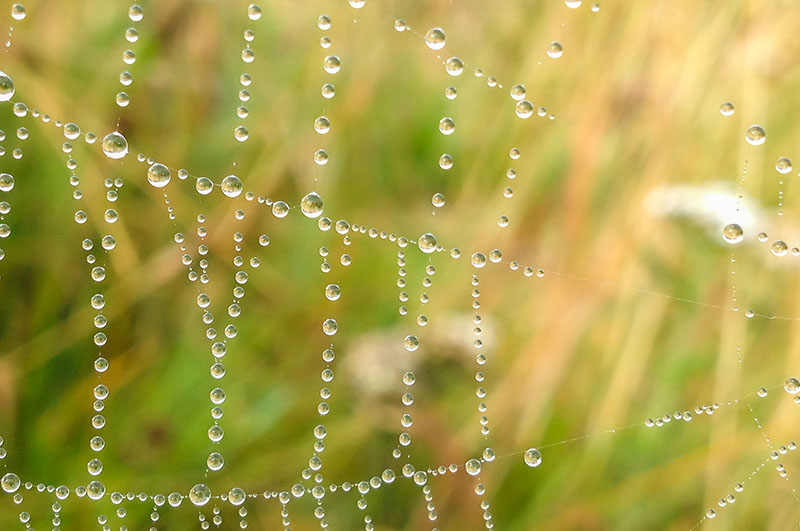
619 199
